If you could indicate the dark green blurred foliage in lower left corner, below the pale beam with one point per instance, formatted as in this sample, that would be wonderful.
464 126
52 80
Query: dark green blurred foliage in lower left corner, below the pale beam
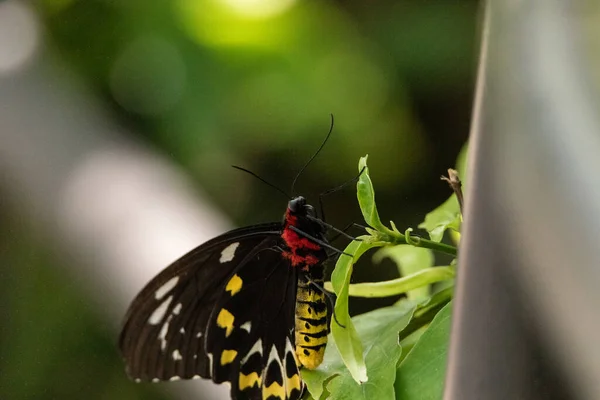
52 345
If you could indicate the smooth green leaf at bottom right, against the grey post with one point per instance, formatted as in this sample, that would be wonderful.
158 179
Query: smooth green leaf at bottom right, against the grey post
421 374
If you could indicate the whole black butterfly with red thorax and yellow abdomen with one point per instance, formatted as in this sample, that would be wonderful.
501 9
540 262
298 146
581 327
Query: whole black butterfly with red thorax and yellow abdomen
246 307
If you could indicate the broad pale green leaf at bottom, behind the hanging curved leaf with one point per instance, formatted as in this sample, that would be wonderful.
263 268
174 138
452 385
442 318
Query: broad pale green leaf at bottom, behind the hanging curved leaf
379 331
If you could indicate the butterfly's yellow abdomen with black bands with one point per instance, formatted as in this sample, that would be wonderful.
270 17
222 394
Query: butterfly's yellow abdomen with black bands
311 322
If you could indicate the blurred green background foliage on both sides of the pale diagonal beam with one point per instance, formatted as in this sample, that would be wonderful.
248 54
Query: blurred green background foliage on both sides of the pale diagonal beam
210 83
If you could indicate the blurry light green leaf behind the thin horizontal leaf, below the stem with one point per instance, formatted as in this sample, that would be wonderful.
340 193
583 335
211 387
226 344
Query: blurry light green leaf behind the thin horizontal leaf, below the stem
409 260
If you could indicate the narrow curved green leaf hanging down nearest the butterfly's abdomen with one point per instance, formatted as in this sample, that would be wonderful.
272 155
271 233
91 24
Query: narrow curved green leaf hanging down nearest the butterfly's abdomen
346 338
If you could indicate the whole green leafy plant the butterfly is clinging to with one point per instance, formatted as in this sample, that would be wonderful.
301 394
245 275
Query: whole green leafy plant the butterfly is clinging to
396 352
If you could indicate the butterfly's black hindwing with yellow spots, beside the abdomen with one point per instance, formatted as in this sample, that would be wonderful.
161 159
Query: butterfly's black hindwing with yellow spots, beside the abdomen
250 337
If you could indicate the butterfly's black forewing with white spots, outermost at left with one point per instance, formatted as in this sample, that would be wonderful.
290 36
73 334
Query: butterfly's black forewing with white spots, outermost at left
169 317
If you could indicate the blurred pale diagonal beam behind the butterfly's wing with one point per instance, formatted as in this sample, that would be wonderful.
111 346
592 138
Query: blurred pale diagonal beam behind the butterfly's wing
117 212
